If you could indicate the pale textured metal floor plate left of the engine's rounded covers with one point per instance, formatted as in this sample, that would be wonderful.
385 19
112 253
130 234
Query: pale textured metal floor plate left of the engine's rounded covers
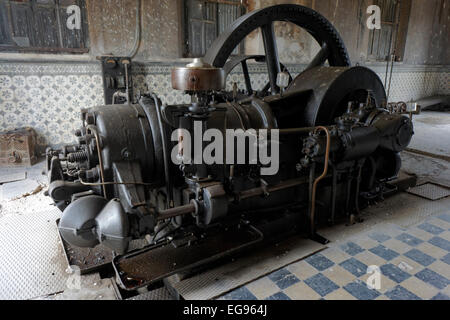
31 259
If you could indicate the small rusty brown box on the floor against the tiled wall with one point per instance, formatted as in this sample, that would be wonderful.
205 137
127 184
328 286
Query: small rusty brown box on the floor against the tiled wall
17 148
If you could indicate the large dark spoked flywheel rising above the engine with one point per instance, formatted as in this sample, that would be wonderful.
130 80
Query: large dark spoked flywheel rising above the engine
332 46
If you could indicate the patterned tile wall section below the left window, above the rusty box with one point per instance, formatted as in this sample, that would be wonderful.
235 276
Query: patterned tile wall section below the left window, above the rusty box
48 97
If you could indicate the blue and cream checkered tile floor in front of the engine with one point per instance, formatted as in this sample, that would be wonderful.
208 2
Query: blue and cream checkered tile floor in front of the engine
413 264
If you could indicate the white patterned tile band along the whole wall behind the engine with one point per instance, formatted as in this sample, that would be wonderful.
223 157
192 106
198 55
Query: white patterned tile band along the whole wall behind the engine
48 96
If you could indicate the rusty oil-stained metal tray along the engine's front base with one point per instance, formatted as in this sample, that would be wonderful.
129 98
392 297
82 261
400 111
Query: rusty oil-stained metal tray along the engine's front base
154 263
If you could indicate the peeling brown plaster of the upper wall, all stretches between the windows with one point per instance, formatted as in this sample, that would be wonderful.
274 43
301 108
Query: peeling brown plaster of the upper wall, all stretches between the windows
112 25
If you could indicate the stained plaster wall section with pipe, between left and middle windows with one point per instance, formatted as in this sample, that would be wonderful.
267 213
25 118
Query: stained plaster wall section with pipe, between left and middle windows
112 28
